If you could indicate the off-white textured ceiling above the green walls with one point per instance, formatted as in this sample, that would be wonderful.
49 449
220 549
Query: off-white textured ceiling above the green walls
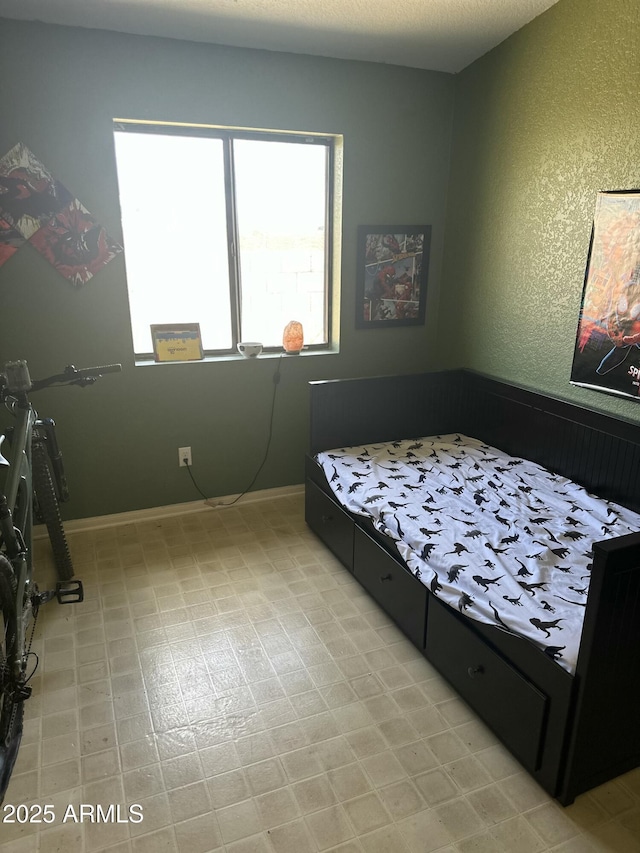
441 35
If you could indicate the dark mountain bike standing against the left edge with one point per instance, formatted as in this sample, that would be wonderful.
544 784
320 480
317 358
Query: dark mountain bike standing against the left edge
34 480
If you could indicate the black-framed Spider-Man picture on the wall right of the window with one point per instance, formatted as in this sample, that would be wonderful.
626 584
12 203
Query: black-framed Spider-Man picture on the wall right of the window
393 264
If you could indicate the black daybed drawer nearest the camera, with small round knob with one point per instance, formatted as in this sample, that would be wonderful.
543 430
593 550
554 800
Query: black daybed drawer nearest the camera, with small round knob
513 707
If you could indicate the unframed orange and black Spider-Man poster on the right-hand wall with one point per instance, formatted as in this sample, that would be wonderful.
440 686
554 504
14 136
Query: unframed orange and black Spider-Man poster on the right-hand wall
607 350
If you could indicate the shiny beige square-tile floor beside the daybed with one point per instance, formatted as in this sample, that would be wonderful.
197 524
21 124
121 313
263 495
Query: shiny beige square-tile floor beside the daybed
228 675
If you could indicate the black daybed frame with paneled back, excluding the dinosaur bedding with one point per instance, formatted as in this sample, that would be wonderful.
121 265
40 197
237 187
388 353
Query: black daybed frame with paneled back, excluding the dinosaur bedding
589 730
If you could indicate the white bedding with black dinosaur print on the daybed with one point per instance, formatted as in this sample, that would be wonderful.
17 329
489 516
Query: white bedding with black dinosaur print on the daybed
496 537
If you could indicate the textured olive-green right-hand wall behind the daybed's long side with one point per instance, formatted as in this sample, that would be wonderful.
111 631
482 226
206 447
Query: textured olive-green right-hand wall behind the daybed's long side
542 123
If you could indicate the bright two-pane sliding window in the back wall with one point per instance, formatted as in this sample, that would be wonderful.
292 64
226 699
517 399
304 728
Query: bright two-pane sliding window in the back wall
227 228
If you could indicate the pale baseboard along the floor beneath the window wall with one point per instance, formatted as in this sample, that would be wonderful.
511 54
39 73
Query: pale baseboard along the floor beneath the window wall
213 505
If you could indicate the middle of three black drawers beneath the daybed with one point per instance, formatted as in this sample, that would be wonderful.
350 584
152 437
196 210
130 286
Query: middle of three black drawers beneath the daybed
394 588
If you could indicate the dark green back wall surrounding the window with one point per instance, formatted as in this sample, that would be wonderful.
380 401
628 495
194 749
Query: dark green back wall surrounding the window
61 88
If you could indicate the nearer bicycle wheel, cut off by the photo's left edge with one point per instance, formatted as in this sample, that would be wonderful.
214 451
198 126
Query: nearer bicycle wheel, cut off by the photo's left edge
11 709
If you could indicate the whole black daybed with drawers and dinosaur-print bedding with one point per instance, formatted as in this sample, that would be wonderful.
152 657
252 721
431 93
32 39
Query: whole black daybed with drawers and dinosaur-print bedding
571 715
